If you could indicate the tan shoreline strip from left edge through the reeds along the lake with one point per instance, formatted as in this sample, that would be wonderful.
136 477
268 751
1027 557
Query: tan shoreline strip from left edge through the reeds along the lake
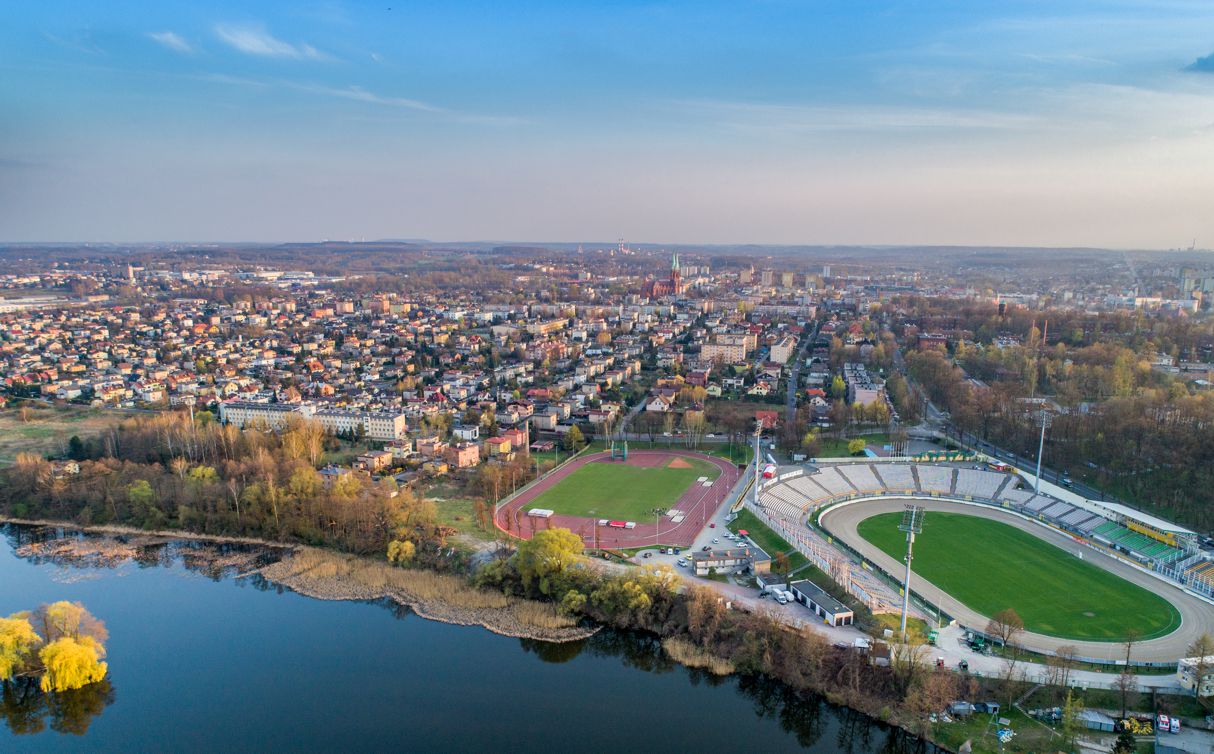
348 586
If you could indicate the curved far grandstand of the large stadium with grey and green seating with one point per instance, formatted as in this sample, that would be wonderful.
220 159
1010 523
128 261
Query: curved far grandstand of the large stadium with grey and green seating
797 492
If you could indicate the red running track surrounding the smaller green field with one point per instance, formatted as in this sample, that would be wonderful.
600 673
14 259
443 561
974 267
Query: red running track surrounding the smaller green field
697 504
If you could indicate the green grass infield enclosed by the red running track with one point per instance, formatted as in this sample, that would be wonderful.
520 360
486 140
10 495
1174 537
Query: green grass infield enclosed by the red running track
621 492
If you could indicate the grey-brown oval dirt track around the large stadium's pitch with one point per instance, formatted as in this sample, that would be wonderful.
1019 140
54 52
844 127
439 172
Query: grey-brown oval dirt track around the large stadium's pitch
1198 616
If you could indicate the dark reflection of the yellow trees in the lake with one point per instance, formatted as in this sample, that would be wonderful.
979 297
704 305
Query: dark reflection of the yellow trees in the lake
29 711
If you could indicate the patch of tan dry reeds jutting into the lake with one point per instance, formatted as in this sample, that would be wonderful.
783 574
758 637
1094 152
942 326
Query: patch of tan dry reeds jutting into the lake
333 576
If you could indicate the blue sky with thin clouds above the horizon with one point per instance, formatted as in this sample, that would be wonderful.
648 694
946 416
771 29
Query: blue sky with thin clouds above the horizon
818 122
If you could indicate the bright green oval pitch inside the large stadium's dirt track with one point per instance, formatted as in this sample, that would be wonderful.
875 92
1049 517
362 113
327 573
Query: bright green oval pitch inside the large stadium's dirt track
991 566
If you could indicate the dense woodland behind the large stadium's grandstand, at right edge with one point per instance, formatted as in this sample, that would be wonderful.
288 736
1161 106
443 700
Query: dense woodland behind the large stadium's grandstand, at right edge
1147 443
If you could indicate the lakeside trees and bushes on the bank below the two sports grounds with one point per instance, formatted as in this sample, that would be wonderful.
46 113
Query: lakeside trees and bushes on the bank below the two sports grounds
548 568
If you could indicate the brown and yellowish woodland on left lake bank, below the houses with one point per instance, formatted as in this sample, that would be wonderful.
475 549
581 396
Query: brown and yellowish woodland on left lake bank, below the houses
167 472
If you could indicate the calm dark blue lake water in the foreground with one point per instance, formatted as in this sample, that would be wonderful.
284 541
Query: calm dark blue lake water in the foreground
230 665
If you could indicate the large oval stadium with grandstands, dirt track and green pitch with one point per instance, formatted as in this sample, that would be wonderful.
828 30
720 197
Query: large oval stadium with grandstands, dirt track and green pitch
1080 574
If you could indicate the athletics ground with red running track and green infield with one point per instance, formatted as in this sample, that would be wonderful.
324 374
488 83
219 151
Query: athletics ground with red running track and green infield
625 500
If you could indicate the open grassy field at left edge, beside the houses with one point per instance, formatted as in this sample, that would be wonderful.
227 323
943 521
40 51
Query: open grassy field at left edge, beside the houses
43 429
